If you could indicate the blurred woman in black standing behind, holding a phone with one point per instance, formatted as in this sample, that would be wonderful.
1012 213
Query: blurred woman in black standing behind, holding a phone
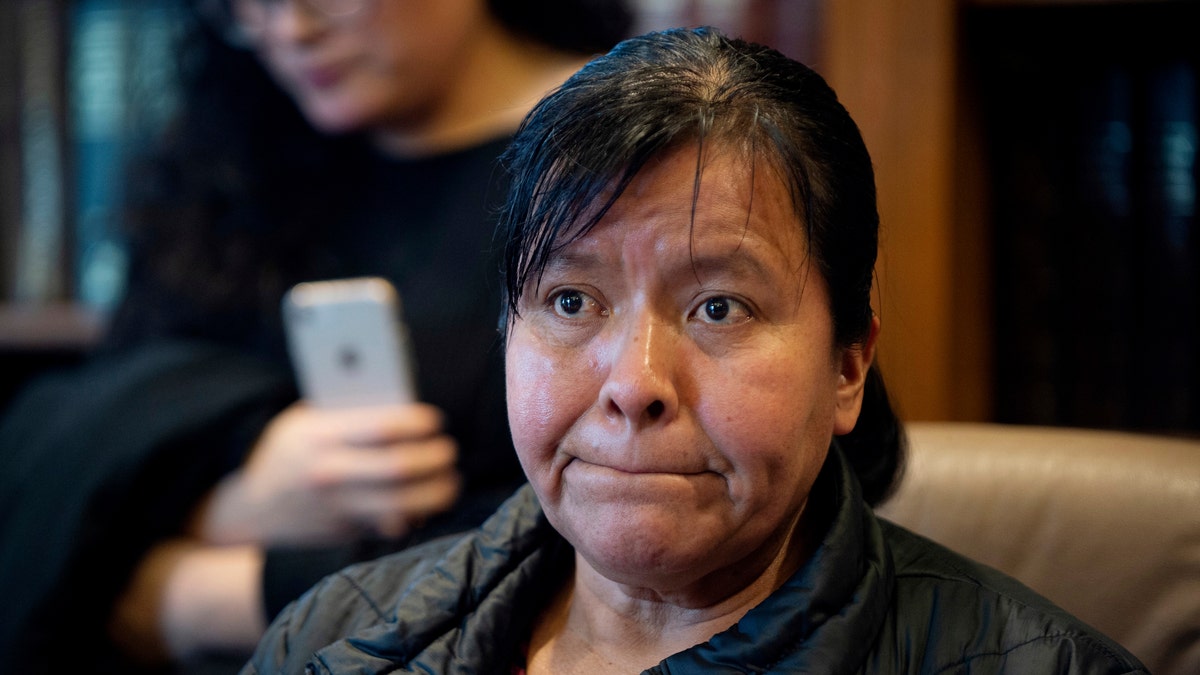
164 501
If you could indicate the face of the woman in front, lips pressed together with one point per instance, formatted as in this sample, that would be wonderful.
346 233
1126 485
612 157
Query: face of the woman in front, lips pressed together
674 390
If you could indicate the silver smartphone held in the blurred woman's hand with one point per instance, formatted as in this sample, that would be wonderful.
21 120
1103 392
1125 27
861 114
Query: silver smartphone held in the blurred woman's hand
349 343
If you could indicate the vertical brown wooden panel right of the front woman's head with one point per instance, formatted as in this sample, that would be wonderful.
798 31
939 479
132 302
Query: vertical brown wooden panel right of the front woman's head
895 65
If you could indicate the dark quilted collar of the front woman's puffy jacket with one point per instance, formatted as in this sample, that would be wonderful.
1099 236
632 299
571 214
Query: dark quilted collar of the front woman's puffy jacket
477 606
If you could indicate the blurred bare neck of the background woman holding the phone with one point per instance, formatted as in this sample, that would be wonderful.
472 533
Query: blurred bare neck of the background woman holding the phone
501 80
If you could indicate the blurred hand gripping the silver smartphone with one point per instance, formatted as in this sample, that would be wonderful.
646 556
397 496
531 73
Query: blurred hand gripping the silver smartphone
321 476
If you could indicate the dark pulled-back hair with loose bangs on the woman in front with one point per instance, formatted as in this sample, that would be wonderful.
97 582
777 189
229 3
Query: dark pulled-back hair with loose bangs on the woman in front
581 146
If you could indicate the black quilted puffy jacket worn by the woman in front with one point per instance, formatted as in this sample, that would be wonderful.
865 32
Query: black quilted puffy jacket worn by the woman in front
873 599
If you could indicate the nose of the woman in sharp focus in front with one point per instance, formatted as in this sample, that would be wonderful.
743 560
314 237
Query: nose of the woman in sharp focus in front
641 385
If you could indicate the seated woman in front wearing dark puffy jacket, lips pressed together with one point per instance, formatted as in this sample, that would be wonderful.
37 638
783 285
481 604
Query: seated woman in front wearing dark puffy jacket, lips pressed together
692 395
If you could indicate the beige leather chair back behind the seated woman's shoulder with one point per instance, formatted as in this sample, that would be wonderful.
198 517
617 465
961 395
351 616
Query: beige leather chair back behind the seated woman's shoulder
1105 524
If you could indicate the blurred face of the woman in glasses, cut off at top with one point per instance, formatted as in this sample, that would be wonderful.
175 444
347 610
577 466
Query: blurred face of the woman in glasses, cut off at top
387 65
